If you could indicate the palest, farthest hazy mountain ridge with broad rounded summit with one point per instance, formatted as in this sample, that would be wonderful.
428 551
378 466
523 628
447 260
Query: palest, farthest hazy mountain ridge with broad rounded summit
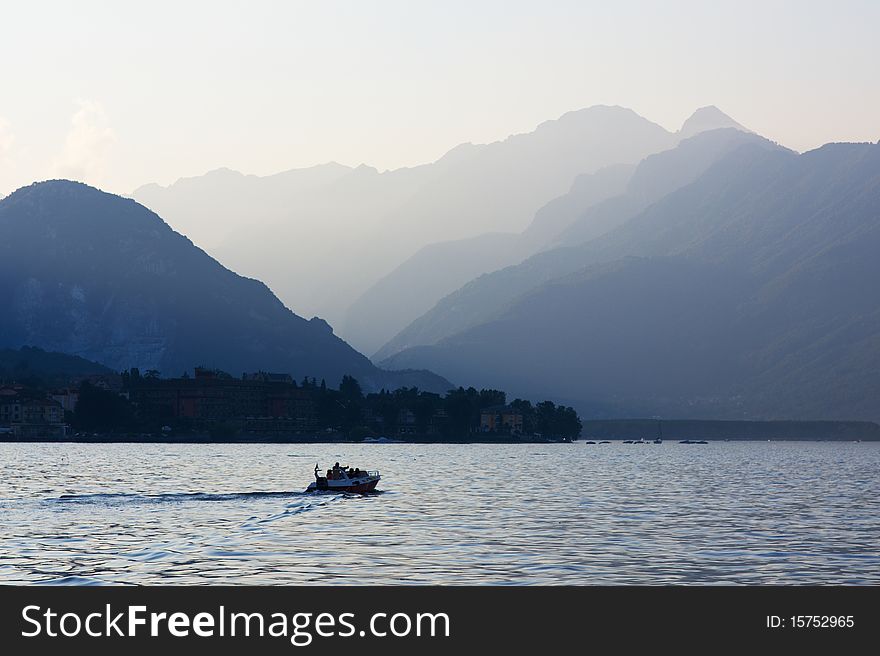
366 223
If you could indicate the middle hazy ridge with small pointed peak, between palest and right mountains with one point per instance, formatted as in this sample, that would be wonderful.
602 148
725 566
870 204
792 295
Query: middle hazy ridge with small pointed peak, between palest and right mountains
423 283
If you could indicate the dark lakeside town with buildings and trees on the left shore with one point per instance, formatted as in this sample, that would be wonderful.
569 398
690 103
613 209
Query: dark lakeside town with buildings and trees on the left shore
213 405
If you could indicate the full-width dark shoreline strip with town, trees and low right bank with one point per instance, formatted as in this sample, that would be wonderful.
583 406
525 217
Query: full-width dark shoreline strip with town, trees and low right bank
47 396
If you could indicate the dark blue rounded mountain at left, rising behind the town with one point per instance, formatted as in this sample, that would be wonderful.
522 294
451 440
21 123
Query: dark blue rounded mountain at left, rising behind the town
98 276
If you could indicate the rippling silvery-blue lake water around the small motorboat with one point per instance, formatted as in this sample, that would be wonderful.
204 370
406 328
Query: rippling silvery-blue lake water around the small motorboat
726 512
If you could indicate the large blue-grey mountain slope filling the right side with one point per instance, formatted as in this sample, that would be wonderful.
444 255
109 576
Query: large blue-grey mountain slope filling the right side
752 295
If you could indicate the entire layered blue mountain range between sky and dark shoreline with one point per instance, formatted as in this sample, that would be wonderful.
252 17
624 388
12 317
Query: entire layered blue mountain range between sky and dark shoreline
601 261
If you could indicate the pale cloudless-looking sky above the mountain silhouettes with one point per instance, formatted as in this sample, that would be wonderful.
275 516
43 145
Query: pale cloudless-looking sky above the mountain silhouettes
118 94
